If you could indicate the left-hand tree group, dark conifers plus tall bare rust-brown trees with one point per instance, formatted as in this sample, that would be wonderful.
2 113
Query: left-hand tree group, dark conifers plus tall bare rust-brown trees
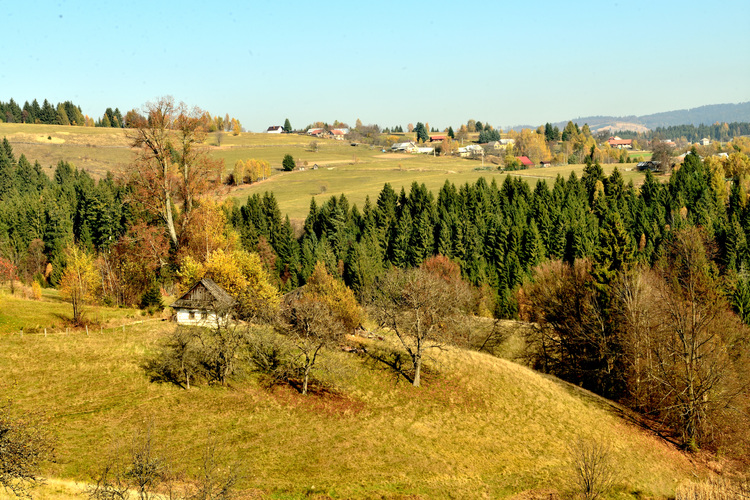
134 229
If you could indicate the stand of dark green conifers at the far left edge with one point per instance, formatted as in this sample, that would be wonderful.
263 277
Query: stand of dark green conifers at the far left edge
40 217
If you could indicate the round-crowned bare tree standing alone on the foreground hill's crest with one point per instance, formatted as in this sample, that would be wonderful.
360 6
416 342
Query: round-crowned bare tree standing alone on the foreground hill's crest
423 309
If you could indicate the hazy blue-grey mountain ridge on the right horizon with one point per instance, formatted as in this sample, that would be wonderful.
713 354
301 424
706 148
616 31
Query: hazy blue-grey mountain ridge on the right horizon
705 115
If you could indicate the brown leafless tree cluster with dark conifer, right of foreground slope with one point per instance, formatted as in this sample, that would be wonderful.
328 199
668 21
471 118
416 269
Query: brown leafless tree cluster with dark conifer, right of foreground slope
661 339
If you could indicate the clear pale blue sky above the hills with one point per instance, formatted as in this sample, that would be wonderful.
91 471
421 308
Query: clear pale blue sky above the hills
386 62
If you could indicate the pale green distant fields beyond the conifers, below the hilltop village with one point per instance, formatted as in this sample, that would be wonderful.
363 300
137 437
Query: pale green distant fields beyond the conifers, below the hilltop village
357 171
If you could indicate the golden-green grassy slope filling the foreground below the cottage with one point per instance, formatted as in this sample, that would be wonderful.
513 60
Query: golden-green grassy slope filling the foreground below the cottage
480 427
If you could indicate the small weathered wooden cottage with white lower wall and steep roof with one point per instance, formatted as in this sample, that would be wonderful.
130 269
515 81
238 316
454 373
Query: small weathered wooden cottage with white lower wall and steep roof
204 304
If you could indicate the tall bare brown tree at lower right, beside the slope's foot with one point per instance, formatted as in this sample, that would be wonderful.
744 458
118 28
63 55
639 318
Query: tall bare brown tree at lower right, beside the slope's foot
696 340
